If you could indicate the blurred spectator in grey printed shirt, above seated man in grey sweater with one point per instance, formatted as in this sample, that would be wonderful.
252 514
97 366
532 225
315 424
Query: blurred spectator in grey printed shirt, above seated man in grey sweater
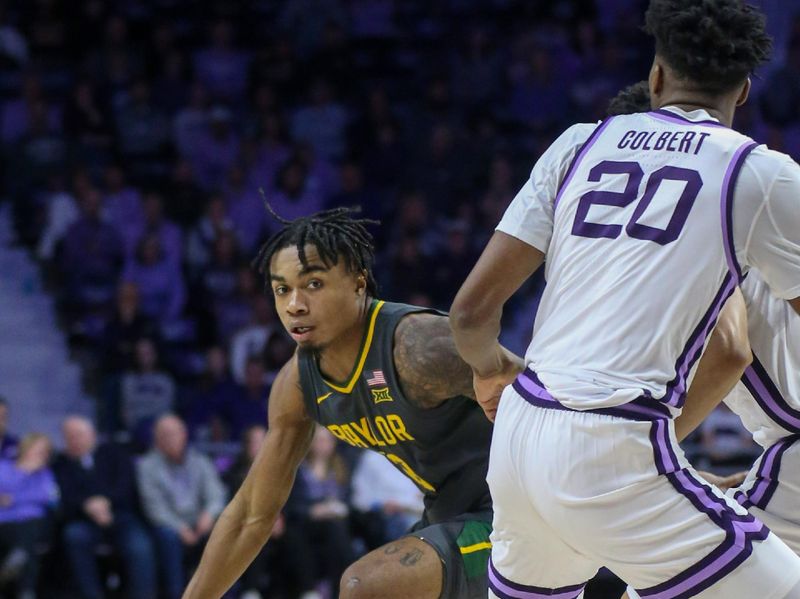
147 391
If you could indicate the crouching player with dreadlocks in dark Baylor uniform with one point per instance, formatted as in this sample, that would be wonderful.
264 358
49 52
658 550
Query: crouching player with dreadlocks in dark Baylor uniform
378 375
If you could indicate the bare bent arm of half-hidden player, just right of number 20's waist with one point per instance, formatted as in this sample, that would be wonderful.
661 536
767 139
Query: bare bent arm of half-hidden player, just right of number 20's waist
722 365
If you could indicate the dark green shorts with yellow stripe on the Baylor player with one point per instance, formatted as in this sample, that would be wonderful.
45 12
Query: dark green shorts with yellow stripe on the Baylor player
464 548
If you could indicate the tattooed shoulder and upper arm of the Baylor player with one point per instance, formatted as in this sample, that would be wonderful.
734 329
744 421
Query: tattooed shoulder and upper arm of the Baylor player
427 362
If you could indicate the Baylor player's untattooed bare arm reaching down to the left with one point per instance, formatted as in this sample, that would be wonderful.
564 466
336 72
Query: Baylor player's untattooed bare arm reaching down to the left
246 523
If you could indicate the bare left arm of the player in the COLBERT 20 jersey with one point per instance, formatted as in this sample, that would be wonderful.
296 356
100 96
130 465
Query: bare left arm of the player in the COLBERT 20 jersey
506 263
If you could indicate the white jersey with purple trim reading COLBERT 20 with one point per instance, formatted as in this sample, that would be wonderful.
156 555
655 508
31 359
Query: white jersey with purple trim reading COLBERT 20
643 244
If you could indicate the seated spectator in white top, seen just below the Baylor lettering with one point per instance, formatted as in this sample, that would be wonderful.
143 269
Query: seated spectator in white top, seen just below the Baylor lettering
386 503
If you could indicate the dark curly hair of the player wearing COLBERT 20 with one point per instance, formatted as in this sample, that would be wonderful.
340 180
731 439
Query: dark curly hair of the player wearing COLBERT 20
715 44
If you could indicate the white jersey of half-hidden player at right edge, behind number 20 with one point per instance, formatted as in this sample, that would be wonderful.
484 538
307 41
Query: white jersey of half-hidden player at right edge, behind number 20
768 398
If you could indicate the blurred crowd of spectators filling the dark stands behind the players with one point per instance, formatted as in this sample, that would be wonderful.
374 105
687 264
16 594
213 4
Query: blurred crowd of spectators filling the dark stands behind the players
140 142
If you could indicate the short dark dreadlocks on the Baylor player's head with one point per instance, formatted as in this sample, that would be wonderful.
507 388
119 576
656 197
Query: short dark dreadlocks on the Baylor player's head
335 233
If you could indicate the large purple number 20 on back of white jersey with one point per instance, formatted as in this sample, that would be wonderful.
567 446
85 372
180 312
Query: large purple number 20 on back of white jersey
582 228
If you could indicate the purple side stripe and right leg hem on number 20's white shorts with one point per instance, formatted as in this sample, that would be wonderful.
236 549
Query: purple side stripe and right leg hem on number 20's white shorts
740 530
